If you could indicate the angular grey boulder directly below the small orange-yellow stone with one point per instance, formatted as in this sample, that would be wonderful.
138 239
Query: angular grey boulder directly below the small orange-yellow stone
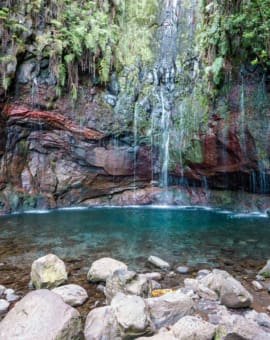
169 308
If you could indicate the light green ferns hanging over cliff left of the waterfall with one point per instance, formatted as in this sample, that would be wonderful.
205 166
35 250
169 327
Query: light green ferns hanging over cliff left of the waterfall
95 36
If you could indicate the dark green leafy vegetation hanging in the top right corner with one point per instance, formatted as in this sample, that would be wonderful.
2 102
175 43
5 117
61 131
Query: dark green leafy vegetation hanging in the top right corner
232 33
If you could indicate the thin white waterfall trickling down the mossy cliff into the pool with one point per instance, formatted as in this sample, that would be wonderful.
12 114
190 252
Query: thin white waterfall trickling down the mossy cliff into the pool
164 102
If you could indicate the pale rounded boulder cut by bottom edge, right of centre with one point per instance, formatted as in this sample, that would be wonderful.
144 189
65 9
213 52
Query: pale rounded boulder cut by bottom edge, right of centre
193 328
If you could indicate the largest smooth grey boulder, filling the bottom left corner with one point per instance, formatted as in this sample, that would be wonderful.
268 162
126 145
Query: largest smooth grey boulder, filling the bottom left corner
41 315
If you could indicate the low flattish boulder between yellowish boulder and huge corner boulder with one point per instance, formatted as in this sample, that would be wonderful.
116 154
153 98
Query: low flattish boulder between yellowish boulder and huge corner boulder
73 295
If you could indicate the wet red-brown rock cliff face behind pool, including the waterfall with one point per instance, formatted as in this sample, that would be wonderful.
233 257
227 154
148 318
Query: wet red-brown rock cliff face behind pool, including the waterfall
147 127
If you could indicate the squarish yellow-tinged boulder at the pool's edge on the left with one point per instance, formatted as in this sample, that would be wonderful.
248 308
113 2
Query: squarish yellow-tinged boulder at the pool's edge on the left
48 272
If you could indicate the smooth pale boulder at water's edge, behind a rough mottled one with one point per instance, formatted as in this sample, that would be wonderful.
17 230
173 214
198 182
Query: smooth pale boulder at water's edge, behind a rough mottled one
101 269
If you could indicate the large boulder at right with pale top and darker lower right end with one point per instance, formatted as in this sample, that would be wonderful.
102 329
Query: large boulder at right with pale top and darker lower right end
230 291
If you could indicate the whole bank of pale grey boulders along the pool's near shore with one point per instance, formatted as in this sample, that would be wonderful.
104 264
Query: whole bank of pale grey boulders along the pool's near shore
210 305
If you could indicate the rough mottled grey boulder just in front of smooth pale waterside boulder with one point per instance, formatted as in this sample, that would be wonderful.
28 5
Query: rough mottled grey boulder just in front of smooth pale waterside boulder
127 282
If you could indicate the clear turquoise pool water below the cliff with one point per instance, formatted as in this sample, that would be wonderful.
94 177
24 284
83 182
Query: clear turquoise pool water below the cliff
181 236
